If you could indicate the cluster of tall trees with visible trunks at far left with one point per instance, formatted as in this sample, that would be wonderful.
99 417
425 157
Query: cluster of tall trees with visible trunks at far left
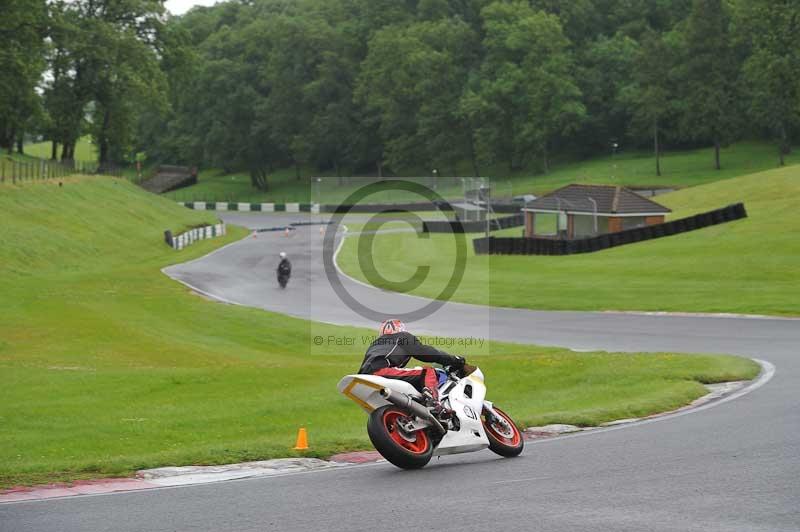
80 66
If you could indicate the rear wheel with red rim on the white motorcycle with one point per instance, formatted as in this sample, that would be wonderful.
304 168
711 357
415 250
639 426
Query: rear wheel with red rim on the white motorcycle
405 450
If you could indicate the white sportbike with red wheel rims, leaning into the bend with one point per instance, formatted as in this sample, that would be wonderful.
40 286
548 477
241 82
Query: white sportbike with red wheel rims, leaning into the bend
405 432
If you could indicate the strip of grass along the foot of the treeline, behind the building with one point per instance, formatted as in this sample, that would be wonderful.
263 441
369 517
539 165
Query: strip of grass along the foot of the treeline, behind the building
680 169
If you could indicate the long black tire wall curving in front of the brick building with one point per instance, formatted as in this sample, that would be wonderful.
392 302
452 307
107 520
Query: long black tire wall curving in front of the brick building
547 246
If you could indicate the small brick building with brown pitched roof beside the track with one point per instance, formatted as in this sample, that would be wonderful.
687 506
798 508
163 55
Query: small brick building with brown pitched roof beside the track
582 211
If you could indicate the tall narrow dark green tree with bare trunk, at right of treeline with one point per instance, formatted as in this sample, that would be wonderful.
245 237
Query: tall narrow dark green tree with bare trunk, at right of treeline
709 76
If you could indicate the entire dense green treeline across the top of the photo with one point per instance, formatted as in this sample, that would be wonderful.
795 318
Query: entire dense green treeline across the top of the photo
403 85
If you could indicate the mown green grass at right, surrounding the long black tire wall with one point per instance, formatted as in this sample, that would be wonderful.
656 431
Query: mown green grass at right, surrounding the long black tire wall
748 266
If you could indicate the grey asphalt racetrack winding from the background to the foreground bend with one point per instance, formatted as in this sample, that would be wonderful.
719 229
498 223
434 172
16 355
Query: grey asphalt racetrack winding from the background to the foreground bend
732 467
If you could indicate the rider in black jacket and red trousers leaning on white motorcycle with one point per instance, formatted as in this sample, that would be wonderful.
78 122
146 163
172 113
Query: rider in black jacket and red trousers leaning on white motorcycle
391 351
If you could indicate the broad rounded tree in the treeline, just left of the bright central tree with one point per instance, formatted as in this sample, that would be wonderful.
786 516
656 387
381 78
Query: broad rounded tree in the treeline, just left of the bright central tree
412 80
